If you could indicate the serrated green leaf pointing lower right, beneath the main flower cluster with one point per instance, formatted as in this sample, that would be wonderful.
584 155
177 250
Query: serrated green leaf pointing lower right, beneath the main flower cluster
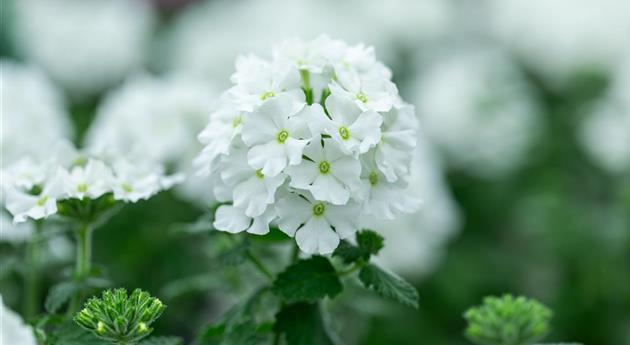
389 285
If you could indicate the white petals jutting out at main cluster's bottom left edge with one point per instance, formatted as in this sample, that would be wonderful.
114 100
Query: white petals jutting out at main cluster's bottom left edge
232 219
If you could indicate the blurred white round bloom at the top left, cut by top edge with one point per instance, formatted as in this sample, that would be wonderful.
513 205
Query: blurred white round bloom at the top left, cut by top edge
86 46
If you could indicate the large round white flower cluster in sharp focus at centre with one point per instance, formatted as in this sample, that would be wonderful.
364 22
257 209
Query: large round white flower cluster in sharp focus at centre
312 140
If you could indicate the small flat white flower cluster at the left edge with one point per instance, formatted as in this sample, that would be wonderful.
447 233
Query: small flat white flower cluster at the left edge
32 188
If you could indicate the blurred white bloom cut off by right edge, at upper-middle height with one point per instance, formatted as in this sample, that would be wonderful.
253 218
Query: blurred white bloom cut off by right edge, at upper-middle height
605 133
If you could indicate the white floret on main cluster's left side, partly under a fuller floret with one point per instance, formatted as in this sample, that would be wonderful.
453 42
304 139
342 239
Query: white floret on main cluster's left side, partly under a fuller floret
252 190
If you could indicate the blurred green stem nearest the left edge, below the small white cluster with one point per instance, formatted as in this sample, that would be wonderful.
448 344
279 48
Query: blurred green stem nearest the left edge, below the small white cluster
31 300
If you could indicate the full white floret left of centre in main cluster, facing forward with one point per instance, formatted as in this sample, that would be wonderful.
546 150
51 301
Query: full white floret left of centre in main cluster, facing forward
276 135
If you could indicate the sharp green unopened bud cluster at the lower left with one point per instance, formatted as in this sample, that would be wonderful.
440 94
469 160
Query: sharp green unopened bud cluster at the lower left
120 318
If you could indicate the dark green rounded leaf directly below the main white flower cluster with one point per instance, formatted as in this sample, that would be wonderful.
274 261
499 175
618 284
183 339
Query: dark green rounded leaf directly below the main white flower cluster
307 280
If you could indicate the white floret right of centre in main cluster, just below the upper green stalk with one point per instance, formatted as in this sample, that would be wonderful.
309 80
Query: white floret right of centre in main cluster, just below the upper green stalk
355 130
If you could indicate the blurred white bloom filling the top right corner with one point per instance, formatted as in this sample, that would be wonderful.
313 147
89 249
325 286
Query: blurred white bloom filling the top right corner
588 35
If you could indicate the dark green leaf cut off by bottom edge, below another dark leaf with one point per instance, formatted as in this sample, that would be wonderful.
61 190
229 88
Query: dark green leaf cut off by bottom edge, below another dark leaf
302 324
